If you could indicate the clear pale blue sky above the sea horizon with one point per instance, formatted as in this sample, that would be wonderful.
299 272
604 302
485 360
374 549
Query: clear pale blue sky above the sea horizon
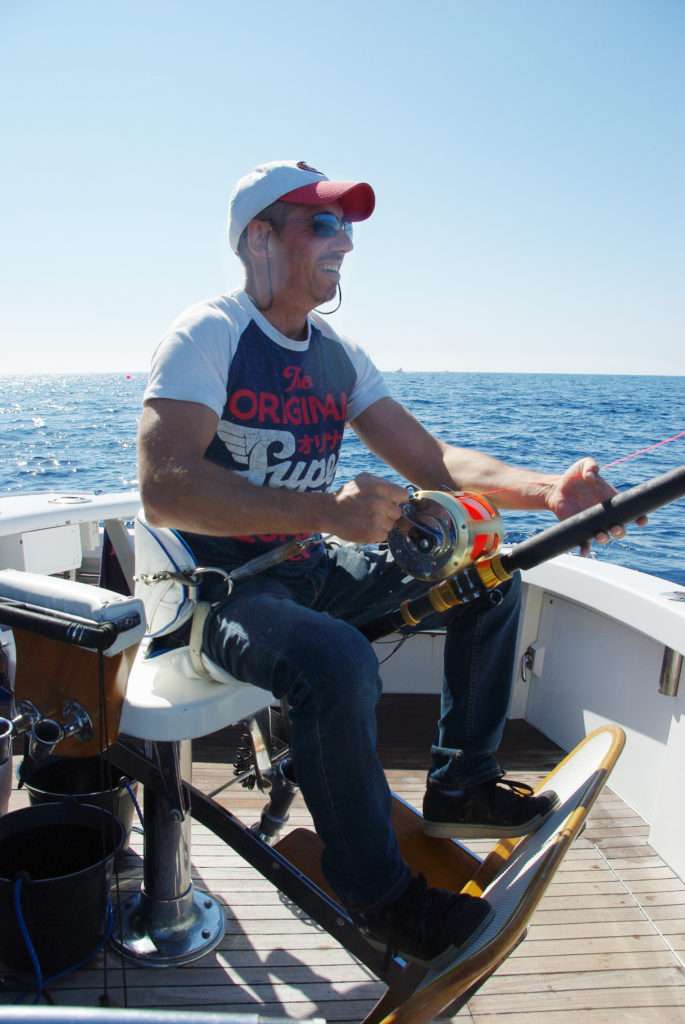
528 159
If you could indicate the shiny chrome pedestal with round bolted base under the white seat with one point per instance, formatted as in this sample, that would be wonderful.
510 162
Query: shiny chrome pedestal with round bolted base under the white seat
168 923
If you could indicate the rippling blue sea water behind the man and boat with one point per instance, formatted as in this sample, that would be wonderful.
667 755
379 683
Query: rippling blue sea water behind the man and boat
77 434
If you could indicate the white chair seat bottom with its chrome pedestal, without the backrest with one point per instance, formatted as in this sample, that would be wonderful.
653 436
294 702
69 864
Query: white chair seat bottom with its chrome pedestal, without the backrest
168 922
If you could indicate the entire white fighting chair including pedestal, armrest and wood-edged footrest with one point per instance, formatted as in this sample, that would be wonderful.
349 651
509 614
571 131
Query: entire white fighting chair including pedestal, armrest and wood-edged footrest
176 695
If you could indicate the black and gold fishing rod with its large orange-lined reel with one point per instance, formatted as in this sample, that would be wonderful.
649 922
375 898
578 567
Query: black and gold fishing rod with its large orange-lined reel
453 540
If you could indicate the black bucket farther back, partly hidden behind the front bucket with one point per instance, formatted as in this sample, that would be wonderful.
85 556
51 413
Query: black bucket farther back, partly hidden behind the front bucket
85 781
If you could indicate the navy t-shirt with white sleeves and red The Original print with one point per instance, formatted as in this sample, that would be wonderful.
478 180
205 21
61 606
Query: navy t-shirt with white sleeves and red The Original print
282 406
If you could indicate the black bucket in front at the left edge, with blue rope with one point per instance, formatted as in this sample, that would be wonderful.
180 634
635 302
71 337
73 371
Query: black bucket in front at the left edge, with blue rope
64 855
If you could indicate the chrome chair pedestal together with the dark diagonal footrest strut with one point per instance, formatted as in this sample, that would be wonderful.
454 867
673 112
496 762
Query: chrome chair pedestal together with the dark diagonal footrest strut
170 923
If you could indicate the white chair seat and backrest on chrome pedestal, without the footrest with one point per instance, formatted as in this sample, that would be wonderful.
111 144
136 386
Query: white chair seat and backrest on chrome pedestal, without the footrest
174 697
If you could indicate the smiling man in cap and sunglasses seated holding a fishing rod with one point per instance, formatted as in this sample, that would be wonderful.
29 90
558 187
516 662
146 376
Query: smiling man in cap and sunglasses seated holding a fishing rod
244 415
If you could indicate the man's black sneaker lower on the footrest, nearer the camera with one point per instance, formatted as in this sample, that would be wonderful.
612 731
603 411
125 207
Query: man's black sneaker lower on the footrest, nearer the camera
429 926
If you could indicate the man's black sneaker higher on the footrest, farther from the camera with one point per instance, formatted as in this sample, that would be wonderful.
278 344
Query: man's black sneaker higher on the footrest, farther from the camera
499 809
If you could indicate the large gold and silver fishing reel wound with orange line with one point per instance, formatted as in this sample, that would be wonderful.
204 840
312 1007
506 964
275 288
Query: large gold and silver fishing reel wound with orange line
443 533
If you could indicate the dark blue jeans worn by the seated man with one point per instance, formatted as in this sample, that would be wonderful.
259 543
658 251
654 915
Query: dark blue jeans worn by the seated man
295 637
